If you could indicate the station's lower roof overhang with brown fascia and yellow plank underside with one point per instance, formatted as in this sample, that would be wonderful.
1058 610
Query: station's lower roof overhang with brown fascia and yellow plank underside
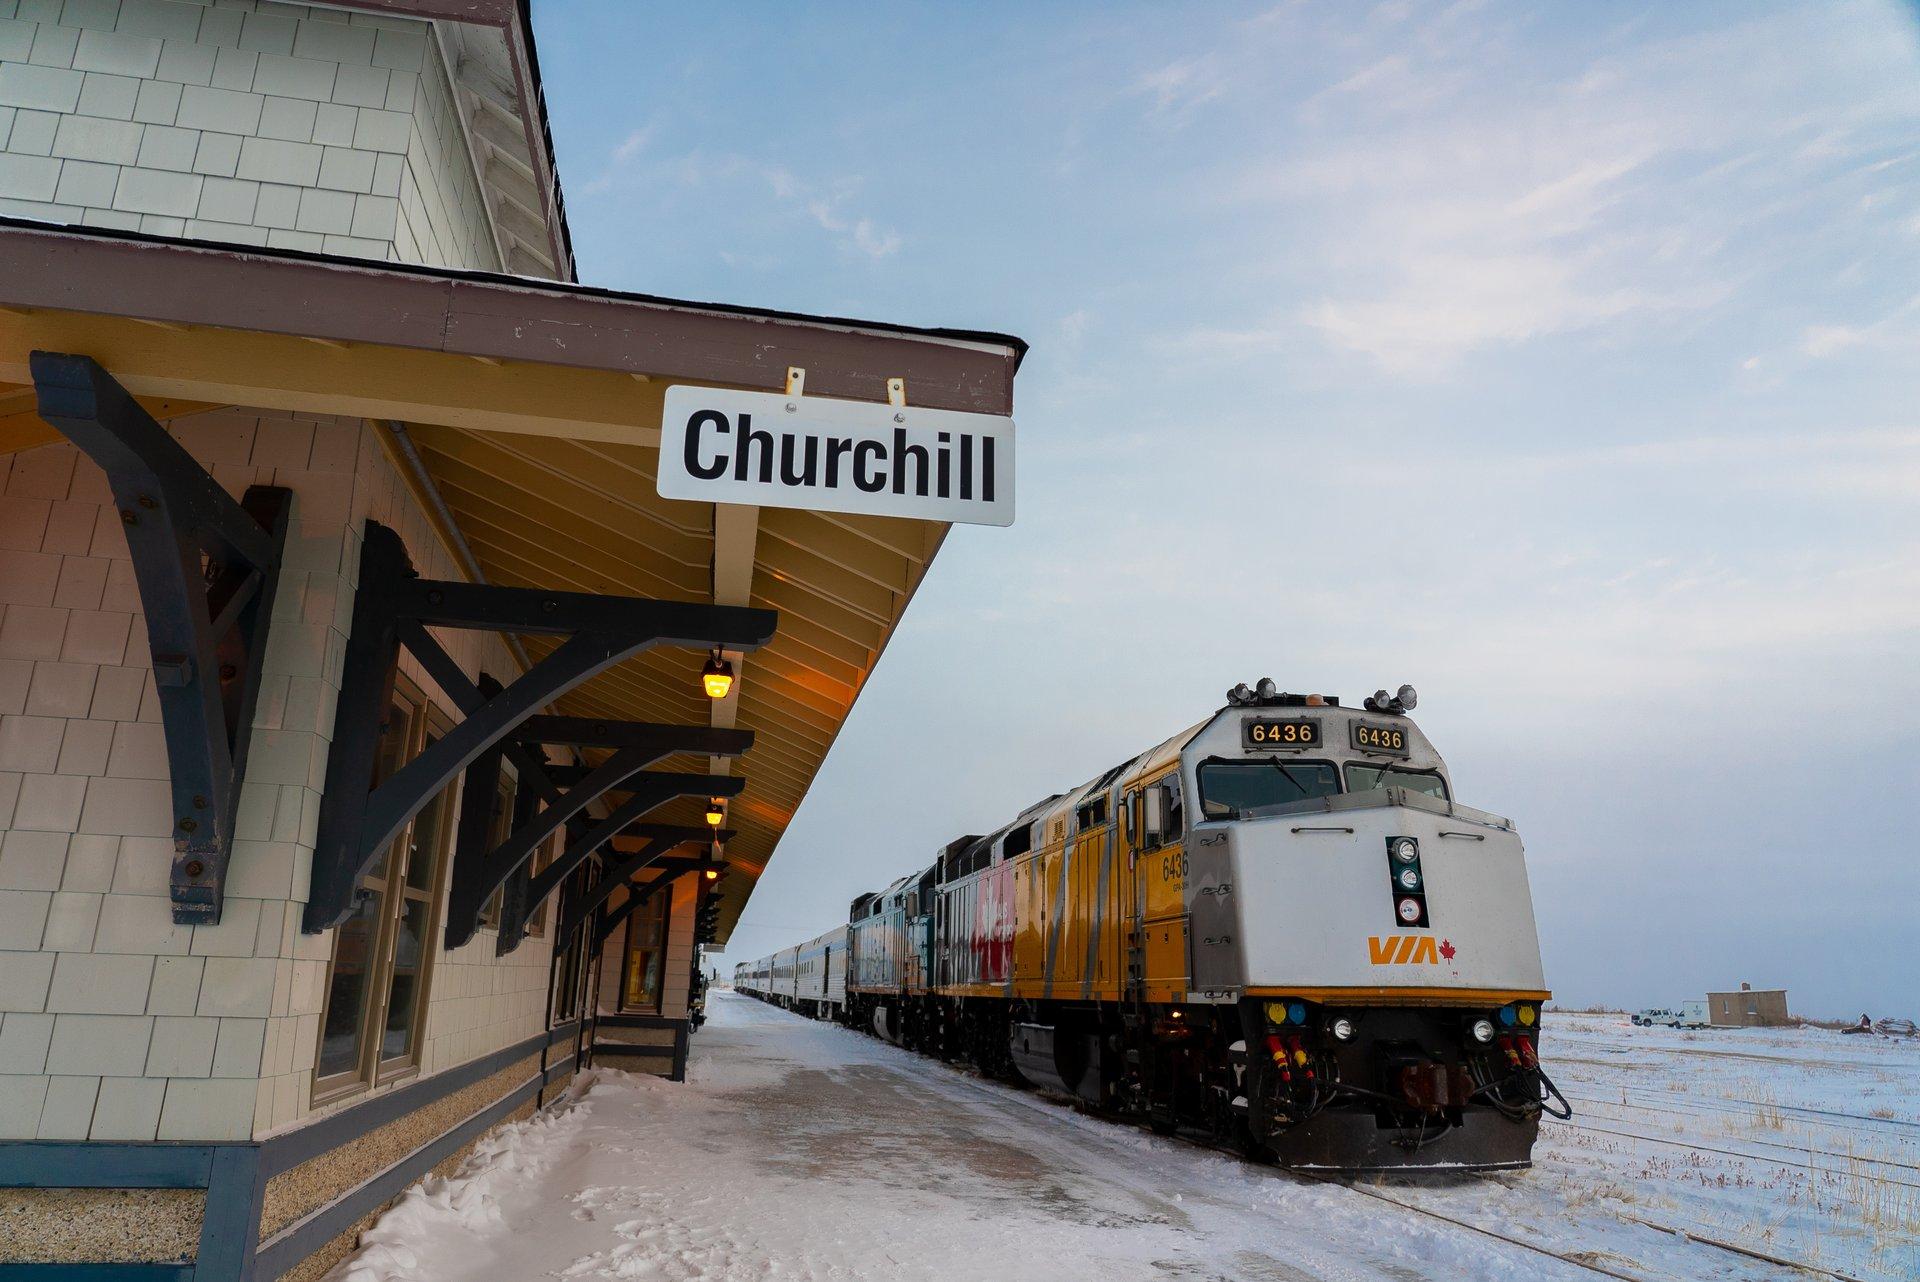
535 410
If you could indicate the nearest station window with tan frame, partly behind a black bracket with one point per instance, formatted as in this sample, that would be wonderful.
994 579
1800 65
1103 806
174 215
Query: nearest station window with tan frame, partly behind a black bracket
383 953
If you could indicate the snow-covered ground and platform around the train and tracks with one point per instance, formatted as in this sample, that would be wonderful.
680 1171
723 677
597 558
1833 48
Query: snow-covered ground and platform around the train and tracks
800 1151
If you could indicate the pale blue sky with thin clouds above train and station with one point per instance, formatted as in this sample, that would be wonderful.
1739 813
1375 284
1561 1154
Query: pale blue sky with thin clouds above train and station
1556 360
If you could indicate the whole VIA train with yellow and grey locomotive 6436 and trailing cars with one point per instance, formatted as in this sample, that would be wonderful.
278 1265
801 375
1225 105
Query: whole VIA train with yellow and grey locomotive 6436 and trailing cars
1278 928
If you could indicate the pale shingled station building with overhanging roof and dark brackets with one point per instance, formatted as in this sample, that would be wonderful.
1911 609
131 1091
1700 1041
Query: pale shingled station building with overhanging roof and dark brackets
375 740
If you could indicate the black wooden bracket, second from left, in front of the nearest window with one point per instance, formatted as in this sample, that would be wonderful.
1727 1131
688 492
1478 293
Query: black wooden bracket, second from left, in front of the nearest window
393 607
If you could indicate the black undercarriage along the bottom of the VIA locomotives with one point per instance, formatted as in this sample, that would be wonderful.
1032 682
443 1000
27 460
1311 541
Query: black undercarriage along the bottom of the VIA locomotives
1404 1089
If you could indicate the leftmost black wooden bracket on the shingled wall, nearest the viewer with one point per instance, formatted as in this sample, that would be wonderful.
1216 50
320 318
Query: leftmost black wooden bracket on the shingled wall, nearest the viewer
208 571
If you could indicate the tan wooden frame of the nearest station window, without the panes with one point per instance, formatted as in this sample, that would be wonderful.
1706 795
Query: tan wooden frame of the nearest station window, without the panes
372 1066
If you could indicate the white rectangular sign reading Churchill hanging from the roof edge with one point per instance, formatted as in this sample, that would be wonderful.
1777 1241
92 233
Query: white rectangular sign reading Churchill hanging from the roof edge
836 456
